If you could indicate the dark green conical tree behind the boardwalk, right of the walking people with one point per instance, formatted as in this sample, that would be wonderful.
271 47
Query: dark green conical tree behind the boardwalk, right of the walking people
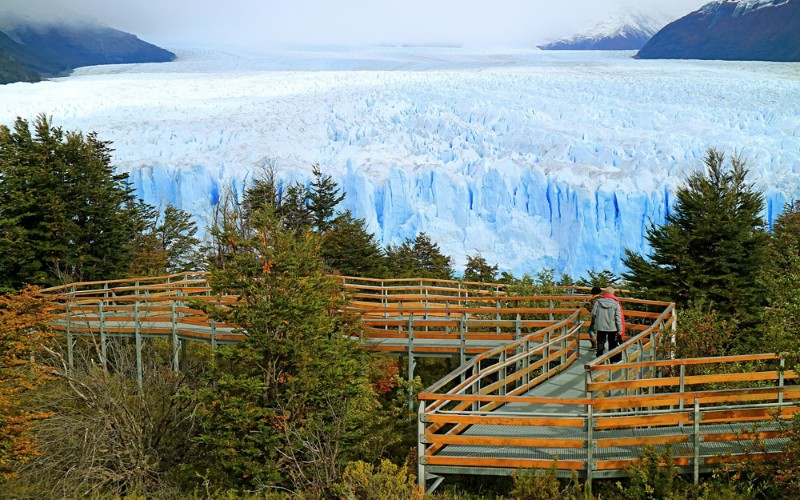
712 245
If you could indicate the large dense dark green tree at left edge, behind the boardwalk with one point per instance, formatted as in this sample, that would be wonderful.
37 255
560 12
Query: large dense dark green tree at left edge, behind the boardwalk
64 213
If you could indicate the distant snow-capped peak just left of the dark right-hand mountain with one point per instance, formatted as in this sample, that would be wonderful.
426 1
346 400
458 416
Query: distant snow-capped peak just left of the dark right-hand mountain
627 30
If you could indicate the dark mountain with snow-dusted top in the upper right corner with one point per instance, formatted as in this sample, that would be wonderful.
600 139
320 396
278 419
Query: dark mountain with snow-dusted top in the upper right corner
743 30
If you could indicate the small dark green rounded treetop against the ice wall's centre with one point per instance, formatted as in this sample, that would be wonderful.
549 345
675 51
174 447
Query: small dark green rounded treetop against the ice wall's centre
419 258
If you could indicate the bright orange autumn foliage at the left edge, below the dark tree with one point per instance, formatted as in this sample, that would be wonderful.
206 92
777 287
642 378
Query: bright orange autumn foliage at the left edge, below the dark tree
23 330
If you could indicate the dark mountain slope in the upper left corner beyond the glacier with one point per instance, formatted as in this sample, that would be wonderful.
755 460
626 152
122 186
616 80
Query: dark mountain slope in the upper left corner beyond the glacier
53 50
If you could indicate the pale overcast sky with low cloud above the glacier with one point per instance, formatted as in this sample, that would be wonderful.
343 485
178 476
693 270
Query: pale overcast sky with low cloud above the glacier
260 22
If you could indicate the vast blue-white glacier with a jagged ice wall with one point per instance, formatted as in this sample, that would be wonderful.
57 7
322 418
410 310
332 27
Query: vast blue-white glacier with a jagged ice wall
533 159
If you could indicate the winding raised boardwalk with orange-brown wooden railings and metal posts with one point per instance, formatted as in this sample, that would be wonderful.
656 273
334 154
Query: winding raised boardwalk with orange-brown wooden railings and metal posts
528 389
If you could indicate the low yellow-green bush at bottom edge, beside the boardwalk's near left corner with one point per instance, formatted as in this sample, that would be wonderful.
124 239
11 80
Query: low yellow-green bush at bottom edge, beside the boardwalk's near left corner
388 481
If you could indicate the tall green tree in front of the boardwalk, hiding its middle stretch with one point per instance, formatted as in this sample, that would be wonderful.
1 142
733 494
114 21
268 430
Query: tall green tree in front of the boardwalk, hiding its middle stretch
291 404
